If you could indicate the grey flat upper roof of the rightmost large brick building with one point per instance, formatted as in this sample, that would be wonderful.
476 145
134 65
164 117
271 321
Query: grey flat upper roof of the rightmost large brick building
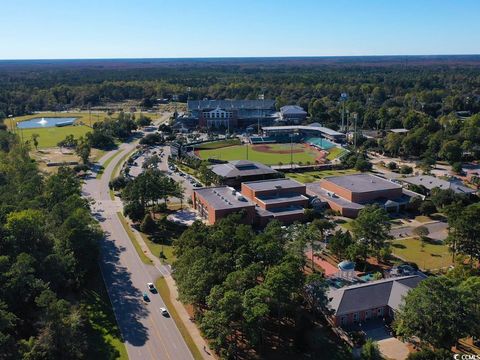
360 183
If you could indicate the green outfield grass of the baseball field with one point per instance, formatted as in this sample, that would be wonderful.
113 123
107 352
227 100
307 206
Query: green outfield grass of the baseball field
239 152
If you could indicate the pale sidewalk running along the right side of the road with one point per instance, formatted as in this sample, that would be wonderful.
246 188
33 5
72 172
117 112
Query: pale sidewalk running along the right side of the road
197 338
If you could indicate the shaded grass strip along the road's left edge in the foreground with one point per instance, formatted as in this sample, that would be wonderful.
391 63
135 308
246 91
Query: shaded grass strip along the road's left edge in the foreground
103 334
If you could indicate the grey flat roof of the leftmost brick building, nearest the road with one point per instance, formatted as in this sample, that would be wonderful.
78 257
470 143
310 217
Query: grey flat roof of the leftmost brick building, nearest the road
223 197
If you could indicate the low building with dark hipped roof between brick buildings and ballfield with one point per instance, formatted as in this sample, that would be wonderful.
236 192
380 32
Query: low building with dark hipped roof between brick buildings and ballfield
233 173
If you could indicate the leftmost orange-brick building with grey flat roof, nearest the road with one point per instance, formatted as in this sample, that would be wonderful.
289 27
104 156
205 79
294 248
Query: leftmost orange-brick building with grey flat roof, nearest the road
214 203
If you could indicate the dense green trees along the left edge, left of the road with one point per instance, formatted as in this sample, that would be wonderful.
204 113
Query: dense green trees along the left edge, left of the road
48 252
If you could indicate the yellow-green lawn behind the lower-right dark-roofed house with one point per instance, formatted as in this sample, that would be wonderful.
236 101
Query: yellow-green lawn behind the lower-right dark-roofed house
432 256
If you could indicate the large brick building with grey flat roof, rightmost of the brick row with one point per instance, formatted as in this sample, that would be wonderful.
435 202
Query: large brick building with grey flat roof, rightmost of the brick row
349 194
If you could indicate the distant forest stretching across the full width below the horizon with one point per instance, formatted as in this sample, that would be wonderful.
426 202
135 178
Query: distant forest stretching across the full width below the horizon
381 95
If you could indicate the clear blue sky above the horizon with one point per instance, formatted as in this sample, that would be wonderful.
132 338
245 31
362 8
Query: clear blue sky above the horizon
39 29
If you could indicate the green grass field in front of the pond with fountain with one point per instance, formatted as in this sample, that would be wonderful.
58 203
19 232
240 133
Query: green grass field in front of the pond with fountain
51 136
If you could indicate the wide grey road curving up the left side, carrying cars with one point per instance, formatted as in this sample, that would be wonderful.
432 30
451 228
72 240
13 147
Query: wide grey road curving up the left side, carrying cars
147 334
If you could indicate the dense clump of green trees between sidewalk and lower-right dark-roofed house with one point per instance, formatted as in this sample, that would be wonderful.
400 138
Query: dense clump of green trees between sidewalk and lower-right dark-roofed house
246 287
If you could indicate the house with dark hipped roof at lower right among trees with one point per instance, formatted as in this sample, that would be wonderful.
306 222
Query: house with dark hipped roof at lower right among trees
371 300
